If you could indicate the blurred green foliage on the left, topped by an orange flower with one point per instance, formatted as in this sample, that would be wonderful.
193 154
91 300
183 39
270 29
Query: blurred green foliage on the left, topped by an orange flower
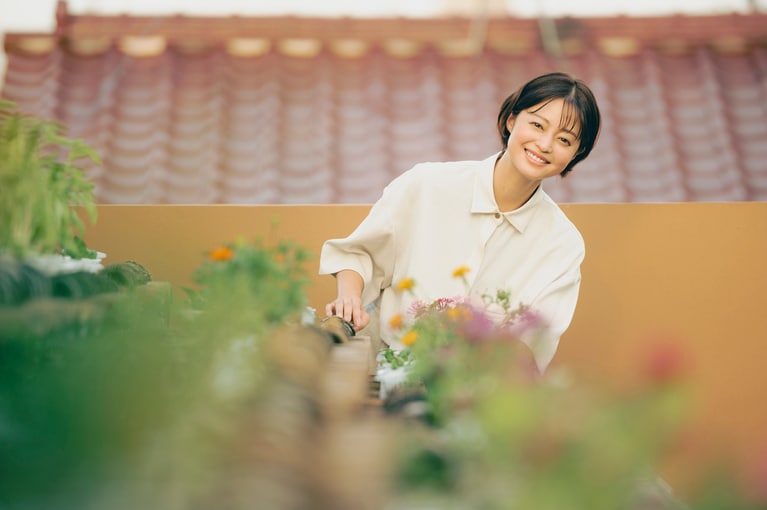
95 413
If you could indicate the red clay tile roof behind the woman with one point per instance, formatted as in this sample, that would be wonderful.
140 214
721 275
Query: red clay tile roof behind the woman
198 110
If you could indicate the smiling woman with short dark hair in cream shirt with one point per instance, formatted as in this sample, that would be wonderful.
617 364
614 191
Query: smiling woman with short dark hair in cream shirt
490 215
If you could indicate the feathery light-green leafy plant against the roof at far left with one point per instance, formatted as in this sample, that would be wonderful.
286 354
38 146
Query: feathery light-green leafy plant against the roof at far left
40 187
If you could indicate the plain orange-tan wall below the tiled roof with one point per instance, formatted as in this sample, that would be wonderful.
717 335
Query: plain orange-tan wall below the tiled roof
693 274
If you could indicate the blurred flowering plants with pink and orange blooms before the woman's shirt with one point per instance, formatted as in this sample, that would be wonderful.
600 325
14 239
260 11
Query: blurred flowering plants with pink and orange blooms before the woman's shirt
496 434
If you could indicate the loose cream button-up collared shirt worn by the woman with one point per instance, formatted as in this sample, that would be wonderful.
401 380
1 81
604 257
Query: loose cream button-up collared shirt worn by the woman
438 216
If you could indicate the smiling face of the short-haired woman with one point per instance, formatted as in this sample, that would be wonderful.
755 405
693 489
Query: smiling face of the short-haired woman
539 146
